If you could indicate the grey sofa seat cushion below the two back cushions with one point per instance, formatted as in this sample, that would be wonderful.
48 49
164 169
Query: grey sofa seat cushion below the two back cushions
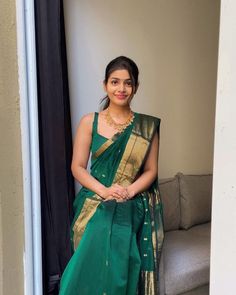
186 259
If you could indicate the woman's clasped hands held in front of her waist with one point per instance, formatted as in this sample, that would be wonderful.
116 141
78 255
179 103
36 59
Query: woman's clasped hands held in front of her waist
116 192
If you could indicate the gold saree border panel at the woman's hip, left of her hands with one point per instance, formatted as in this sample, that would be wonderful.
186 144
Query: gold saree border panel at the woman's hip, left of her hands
87 212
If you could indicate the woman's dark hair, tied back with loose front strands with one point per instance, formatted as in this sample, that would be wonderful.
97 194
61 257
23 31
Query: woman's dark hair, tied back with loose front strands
120 63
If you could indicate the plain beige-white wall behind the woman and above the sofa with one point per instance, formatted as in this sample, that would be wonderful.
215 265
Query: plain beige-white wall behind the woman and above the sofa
175 46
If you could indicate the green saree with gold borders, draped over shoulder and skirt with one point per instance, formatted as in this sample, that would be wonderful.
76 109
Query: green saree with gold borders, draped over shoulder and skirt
117 245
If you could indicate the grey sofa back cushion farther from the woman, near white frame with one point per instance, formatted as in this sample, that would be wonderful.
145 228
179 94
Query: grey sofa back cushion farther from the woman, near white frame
195 199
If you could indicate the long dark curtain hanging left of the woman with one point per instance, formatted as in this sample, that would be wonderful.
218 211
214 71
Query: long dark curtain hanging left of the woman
57 184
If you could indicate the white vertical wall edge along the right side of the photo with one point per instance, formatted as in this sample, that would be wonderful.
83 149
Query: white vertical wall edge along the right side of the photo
223 246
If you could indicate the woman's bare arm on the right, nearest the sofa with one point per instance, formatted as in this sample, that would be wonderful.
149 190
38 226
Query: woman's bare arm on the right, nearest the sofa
150 170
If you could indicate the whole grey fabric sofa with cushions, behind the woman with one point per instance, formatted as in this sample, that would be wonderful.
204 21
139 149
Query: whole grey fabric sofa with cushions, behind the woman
185 259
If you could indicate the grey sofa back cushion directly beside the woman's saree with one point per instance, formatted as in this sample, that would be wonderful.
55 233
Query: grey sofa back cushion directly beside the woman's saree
169 192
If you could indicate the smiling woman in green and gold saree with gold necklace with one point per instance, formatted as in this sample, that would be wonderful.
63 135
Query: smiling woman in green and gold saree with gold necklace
117 231
